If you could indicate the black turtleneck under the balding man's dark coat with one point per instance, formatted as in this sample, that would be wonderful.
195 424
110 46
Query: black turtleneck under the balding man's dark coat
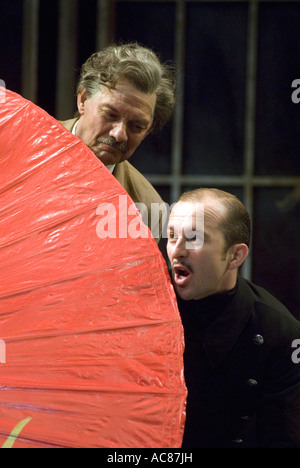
198 317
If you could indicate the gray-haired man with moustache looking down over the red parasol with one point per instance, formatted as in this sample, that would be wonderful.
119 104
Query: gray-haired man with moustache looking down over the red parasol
124 93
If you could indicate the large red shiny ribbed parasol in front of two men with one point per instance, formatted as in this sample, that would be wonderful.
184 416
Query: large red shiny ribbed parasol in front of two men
91 342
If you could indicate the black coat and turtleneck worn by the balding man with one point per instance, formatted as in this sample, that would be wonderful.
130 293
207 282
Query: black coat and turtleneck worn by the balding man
244 388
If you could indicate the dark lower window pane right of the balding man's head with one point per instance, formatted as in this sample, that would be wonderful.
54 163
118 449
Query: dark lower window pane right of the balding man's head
276 248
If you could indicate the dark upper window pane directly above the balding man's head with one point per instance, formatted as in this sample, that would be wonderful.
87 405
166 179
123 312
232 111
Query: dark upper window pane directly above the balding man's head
215 88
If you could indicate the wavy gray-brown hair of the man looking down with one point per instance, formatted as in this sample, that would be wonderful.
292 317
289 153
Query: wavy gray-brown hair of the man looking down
139 65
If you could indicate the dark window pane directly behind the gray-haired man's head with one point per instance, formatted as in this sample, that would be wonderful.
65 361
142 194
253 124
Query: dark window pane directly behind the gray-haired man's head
152 25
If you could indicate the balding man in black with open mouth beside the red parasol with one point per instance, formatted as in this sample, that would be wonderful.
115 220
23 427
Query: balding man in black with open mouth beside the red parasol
241 359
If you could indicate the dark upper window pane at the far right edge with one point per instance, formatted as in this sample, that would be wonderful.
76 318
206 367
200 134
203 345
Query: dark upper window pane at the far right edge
278 118
